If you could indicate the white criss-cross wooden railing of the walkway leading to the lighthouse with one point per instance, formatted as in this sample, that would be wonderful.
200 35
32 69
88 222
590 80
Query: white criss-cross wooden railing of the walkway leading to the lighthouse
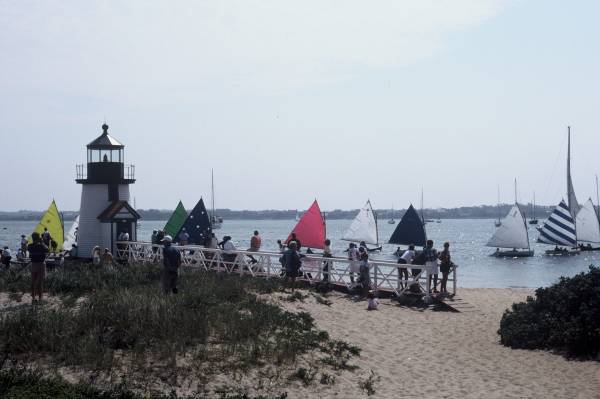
384 275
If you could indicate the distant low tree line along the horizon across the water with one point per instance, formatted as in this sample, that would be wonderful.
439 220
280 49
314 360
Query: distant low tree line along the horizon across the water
464 212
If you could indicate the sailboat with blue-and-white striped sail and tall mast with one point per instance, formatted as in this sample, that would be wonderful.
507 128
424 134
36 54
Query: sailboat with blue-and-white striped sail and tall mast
560 229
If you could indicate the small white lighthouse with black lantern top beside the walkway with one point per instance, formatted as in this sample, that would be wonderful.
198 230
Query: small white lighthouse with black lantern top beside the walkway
105 211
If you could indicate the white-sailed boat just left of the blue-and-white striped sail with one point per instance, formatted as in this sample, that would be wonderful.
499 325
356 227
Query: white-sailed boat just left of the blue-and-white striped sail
512 233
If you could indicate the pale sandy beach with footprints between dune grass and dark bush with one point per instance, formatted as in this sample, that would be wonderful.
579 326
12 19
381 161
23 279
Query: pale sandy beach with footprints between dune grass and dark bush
427 354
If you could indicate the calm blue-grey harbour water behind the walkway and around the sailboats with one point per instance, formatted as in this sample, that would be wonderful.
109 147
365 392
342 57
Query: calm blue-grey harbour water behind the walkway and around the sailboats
467 239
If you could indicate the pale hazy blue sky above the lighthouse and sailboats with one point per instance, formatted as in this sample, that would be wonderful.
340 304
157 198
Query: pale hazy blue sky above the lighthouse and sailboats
289 101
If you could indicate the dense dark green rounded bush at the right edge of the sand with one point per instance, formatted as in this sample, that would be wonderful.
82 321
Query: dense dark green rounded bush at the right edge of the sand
564 317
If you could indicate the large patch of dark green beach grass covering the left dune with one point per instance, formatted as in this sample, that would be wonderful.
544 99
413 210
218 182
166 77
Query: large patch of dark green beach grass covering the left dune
127 326
